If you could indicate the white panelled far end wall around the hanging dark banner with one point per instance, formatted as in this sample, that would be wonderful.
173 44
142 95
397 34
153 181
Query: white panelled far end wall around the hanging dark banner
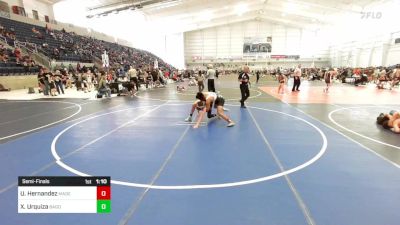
224 42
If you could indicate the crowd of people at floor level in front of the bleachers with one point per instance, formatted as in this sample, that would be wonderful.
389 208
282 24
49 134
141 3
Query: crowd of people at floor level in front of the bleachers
88 79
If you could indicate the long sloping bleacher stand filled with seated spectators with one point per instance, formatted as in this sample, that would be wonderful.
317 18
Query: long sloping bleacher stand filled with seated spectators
75 48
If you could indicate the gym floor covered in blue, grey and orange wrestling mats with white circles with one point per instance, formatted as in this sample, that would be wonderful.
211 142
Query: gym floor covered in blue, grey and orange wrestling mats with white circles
300 158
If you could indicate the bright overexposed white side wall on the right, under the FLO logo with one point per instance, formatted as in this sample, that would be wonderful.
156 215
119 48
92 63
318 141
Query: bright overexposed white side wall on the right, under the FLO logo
358 40
